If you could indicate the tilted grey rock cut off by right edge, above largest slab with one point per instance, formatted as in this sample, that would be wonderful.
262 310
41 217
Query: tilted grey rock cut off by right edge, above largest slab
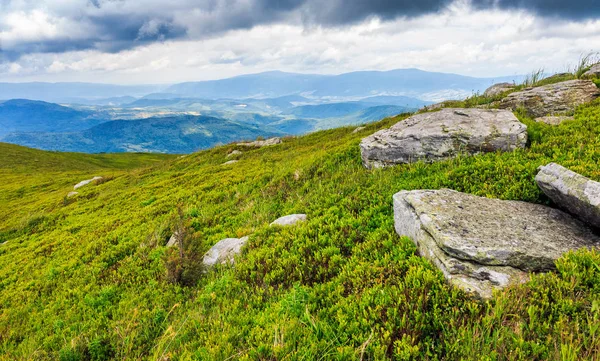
571 191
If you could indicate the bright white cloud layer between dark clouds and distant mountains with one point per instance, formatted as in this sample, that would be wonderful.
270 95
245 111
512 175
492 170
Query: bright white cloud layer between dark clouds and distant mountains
479 43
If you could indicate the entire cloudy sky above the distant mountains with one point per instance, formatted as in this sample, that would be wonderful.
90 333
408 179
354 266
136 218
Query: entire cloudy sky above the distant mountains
169 41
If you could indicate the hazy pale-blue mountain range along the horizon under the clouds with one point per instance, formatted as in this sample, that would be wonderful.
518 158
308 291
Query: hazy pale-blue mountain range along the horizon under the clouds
413 83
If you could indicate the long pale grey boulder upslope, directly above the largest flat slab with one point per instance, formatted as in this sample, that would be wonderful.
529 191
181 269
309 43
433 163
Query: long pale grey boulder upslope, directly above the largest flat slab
444 134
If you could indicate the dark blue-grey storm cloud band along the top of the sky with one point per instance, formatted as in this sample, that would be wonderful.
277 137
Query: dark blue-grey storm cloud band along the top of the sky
115 25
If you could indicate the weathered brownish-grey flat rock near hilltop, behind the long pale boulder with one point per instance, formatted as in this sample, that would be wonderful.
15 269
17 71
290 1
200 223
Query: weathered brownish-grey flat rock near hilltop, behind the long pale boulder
553 99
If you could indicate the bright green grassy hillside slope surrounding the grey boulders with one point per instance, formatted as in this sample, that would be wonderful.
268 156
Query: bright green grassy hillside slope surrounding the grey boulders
86 280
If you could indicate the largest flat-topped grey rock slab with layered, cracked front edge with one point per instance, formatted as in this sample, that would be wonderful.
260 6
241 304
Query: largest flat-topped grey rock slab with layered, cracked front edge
482 244
